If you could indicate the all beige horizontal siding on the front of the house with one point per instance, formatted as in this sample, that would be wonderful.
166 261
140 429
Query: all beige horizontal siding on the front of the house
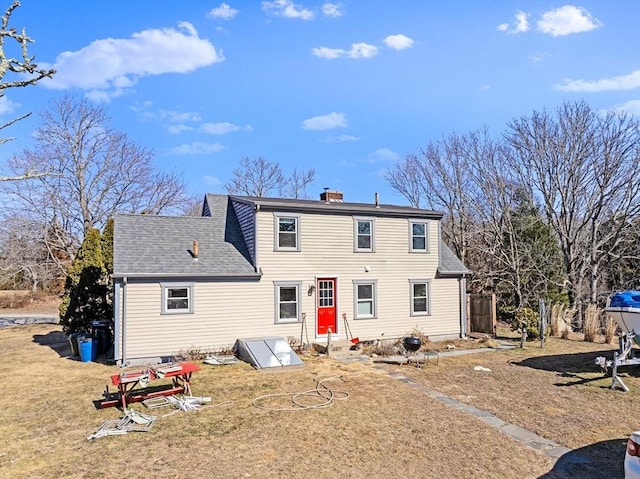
227 310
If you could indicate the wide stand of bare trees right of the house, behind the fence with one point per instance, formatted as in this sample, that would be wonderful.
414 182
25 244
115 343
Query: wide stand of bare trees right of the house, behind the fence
580 165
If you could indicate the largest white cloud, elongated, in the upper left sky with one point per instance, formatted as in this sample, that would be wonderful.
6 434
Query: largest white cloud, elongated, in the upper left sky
105 66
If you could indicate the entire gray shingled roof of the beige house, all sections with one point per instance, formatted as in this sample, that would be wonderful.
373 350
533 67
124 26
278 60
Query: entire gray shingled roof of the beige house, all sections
160 246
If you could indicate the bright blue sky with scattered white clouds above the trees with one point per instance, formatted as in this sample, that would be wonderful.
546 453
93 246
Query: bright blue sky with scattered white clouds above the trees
344 87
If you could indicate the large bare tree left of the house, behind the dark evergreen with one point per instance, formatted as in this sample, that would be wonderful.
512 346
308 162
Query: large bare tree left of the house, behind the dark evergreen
95 171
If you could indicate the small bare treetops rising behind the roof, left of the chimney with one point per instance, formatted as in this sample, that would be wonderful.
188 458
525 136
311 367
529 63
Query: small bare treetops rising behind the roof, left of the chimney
260 177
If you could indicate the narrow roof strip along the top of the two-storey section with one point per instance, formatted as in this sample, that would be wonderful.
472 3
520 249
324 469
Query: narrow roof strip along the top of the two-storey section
336 207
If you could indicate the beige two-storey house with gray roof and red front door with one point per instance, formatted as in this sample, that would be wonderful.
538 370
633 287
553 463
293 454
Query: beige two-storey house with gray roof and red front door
252 267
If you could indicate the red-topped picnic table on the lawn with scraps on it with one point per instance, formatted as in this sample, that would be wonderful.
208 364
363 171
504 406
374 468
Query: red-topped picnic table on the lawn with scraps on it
180 374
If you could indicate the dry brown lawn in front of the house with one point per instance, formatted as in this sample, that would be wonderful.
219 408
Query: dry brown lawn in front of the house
385 429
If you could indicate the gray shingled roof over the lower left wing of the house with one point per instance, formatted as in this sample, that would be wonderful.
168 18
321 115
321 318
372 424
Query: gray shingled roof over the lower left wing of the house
146 245
